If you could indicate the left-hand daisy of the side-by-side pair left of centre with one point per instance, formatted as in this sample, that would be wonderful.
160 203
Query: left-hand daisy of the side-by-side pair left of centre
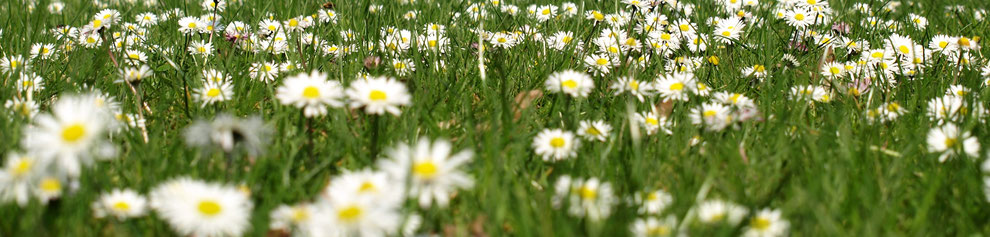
311 92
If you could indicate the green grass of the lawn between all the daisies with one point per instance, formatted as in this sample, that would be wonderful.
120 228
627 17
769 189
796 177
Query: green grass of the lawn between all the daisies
816 163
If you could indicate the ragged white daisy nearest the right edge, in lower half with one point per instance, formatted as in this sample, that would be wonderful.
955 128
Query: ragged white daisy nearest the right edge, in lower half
949 139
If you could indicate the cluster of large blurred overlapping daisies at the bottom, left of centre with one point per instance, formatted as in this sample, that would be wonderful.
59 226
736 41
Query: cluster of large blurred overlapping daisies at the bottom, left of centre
369 202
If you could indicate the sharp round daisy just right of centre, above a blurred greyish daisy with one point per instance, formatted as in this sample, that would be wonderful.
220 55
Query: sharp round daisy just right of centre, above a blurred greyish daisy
555 144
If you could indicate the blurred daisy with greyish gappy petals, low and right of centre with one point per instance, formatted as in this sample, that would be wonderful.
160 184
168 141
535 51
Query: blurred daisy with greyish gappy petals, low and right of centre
589 198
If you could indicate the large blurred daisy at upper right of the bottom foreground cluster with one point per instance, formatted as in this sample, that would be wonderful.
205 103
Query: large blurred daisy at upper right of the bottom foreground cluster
434 172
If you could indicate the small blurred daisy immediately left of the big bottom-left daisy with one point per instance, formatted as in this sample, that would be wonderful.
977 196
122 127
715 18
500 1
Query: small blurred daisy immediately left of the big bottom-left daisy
121 204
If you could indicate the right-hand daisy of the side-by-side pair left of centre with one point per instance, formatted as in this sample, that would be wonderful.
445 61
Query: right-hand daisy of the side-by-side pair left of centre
378 95
